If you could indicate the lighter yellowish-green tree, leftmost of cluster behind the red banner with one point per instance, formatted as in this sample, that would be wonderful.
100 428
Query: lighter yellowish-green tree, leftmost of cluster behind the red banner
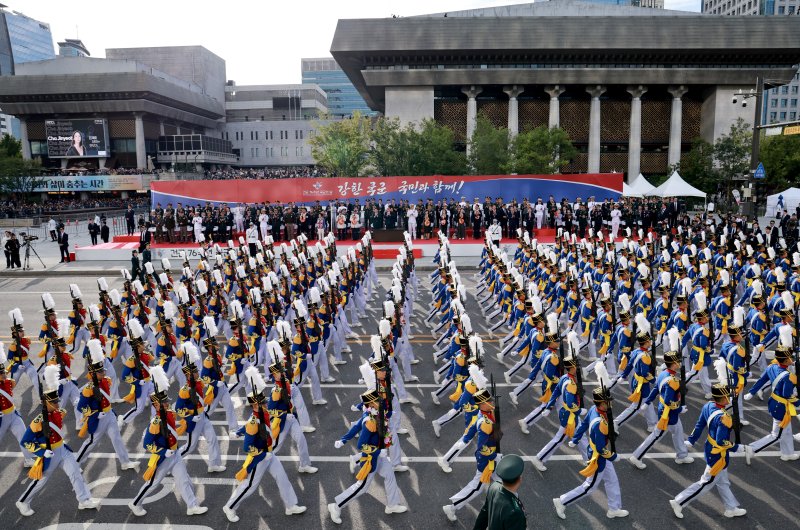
342 147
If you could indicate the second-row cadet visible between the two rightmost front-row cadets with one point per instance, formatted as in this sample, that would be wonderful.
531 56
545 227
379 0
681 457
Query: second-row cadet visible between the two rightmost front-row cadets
668 391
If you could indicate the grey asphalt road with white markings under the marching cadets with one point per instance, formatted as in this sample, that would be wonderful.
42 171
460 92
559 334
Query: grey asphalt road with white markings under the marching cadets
768 489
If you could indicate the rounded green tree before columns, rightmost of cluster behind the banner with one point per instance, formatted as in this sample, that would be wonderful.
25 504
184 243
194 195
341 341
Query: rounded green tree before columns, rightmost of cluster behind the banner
541 151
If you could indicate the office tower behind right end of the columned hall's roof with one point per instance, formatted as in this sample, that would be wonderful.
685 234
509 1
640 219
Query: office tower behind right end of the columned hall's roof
780 103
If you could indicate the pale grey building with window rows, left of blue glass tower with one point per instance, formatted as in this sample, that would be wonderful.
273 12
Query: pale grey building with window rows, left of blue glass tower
270 125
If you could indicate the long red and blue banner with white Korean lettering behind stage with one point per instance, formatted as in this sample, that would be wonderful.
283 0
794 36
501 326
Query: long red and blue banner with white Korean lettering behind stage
308 190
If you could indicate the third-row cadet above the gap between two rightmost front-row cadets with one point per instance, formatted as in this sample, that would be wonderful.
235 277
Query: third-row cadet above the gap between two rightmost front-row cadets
641 370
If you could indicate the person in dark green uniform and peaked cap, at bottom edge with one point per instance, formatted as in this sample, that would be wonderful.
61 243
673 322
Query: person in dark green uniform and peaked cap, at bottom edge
502 509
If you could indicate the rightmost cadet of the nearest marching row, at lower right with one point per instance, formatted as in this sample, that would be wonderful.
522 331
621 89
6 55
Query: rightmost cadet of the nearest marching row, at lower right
719 423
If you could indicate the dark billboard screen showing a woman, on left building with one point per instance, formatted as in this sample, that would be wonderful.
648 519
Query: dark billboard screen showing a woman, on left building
81 138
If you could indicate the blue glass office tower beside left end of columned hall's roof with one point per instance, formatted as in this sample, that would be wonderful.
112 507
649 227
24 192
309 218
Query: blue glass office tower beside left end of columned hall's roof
343 98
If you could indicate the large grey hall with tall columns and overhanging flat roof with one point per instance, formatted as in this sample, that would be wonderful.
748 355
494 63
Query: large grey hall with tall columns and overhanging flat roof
641 81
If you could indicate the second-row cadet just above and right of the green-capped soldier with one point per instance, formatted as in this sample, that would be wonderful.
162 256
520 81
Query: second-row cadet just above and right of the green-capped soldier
569 392
